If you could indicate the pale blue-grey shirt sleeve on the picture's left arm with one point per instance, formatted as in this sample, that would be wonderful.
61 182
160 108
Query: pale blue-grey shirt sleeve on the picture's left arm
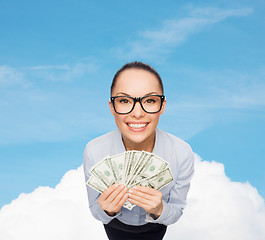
92 194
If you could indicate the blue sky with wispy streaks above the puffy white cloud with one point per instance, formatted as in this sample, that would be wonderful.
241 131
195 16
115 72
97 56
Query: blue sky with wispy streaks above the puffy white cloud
57 59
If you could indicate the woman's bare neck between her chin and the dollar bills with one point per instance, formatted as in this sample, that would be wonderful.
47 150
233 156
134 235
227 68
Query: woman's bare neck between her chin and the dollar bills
147 145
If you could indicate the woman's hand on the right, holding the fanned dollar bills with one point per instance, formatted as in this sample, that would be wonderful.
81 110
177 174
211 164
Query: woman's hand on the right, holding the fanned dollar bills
148 198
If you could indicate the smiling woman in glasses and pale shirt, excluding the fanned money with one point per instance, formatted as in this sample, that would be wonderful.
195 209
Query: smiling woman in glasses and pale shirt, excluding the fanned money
137 101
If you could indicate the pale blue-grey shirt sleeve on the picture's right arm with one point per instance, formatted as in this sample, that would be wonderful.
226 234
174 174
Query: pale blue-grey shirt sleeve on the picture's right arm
176 202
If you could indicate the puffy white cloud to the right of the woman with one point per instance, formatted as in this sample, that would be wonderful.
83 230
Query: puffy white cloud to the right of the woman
219 208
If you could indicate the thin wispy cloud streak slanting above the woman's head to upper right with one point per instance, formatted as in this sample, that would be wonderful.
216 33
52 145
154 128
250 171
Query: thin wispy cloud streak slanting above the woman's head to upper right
173 32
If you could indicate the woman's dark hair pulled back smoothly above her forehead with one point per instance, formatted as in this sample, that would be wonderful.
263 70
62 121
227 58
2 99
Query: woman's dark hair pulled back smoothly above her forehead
136 65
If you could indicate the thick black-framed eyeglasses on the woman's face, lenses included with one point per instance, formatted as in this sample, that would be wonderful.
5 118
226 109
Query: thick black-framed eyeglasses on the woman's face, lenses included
149 103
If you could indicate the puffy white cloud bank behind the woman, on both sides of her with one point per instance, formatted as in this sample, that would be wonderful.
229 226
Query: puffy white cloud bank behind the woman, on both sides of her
217 209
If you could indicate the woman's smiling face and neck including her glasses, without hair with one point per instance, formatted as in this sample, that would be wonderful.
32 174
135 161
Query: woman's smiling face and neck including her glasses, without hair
137 126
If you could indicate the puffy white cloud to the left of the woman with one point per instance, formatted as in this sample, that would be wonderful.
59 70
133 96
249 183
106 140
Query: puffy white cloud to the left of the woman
47 213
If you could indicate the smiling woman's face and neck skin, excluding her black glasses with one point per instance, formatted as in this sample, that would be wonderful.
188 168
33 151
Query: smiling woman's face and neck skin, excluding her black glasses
137 127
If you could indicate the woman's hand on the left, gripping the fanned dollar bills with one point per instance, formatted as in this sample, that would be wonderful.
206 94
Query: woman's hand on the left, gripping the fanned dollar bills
113 198
